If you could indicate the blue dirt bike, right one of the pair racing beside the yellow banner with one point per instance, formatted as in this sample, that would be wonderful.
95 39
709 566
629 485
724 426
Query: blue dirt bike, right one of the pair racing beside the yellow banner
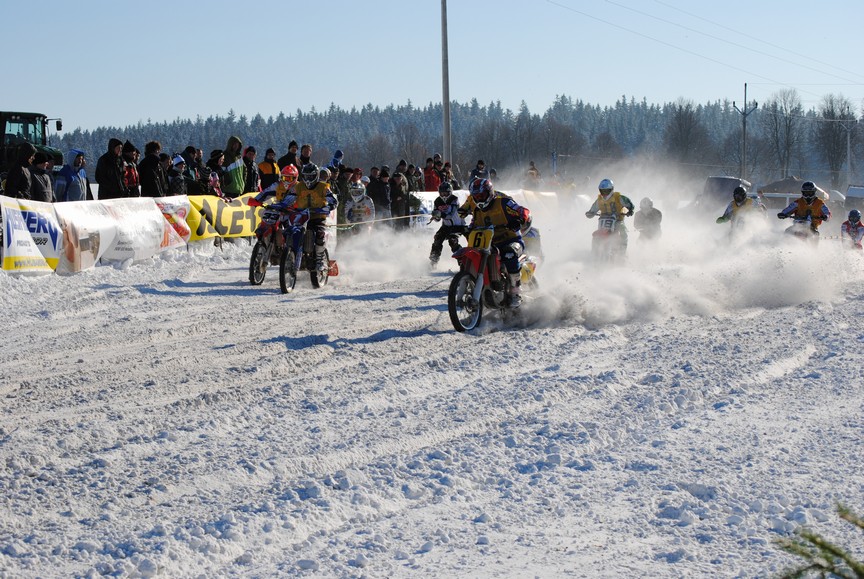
300 255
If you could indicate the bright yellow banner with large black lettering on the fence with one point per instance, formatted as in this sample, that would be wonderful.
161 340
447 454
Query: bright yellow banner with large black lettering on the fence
211 216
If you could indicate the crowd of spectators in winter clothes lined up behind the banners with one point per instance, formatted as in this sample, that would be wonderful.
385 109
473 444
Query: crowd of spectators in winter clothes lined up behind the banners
122 172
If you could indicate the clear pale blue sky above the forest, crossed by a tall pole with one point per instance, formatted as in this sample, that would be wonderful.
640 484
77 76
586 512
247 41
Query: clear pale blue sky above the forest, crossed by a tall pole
103 63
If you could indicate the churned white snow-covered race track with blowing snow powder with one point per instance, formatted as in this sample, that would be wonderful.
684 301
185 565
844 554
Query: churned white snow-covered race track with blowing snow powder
670 418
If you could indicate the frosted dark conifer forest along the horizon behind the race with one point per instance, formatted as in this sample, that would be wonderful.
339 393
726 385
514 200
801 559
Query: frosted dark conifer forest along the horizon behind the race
571 137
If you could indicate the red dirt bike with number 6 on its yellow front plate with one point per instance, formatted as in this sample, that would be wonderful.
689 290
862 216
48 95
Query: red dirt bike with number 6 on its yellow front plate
482 280
